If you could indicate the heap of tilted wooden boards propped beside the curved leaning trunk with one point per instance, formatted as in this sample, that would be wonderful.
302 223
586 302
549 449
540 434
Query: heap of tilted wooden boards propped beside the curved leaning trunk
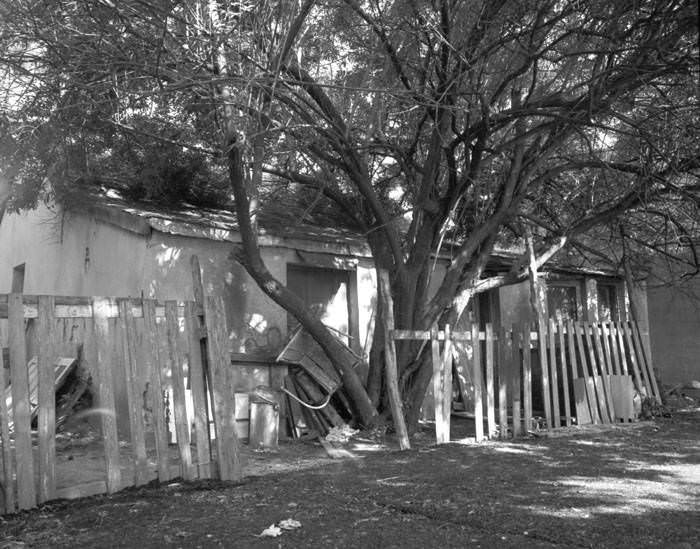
315 400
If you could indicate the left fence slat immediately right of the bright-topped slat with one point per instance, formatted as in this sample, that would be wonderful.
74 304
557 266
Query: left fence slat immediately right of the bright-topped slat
134 393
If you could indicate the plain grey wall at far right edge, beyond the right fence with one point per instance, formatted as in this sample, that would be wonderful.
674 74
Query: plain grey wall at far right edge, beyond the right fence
674 327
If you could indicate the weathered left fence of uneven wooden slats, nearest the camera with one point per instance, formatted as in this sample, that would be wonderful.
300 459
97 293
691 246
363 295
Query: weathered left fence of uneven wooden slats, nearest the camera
142 347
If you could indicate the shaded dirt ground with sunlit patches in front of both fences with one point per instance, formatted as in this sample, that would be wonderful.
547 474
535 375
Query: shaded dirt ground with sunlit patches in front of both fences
625 486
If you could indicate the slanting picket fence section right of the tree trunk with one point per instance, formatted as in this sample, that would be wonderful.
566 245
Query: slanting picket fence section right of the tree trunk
574 372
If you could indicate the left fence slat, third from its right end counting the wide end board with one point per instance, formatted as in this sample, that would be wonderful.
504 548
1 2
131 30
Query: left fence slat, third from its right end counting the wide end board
179 406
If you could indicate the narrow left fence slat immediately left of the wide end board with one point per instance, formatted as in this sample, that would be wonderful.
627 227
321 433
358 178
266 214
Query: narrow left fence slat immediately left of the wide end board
199 399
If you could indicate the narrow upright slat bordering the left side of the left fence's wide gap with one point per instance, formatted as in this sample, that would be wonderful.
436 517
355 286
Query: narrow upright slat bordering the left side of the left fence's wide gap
46 421
